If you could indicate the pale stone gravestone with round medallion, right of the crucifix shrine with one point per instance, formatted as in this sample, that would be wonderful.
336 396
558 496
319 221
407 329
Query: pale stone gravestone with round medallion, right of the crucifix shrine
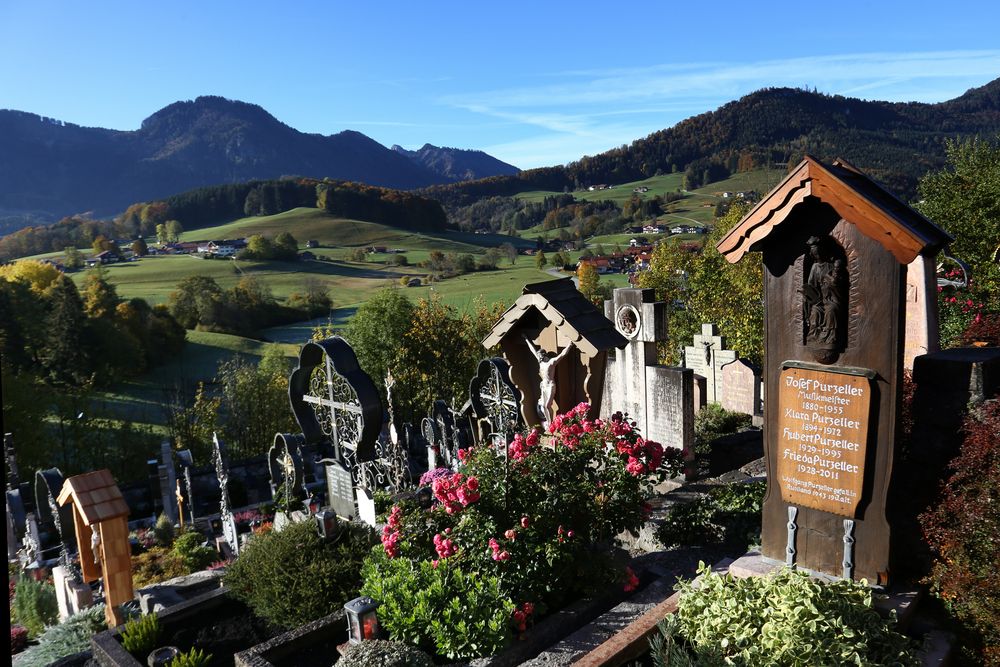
659 398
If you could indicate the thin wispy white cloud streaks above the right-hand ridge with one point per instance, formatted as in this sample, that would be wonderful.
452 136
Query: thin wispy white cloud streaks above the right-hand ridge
584 108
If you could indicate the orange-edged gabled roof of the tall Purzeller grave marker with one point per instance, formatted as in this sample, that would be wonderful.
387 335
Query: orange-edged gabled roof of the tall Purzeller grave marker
861 201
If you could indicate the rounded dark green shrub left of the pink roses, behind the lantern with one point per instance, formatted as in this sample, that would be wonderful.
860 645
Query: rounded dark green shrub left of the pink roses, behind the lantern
292 577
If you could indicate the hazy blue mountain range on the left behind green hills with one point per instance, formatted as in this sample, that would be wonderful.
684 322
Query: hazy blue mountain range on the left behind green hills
52 168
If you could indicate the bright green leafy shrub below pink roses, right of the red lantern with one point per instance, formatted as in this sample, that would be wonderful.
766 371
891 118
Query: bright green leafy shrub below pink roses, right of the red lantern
439 607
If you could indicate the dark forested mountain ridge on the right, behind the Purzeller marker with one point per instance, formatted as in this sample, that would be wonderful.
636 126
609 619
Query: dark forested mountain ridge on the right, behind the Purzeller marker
895 142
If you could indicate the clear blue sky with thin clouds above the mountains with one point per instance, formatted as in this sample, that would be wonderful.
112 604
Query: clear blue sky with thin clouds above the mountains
533 83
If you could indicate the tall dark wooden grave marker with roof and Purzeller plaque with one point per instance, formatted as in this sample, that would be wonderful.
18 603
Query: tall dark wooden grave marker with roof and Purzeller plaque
835 249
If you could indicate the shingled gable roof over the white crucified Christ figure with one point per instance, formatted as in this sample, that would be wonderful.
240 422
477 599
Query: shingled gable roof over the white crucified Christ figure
561 303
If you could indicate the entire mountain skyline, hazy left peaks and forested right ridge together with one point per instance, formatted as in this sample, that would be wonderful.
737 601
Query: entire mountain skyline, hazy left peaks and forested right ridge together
50 168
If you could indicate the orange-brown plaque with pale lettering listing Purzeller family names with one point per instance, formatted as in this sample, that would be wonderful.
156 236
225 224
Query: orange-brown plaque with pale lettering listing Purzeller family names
822 438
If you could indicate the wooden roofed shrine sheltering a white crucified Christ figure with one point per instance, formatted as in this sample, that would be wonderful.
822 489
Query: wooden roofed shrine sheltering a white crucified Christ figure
554 315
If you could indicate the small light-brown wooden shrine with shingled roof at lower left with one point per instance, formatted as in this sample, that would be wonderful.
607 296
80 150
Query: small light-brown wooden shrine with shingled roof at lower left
100 517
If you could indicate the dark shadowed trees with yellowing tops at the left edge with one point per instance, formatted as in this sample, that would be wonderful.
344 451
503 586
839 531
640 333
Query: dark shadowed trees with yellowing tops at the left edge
58 345
